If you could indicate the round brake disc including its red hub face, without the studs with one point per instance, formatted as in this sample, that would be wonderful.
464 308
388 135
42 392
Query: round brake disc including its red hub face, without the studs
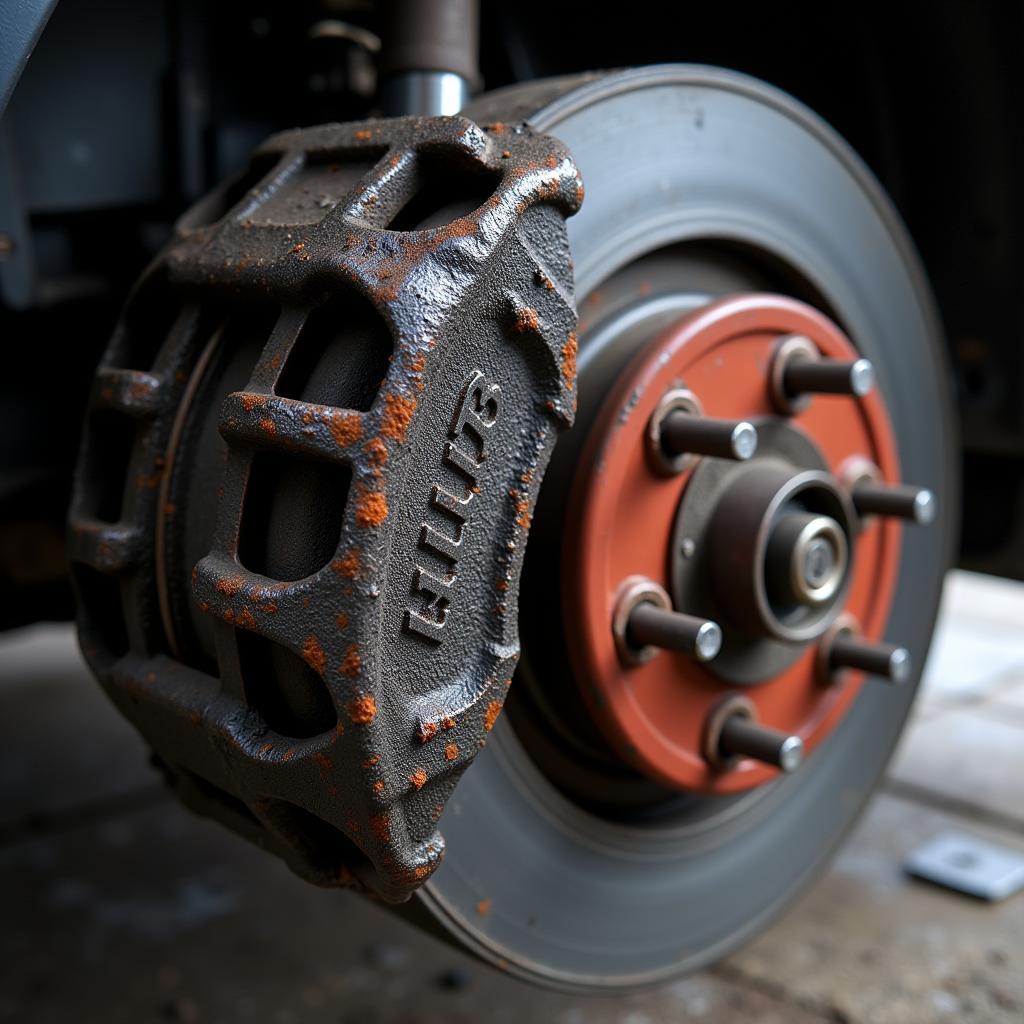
580 859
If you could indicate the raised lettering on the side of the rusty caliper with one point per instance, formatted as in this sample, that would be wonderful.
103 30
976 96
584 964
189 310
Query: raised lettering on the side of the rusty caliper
464 455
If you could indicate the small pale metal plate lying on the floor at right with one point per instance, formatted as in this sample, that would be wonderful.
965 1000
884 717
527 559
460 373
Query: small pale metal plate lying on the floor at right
969 866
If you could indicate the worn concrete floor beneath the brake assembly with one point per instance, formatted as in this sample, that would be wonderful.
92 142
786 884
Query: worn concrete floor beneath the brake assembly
117 906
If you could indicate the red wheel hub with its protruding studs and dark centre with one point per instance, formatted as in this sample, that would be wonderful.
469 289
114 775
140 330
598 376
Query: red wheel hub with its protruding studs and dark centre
717 488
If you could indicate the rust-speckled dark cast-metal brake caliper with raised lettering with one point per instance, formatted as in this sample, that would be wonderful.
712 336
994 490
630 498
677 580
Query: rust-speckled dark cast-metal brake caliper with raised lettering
310 466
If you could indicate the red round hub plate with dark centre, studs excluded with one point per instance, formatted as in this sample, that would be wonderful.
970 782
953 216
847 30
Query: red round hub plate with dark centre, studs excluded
629 520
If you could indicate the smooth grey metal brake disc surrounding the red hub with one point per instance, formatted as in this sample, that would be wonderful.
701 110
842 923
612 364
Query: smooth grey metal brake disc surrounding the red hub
739 188
